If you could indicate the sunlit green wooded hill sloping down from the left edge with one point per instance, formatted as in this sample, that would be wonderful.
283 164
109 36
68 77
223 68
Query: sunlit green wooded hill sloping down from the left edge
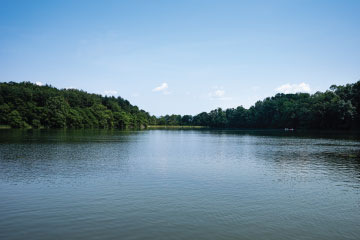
23 105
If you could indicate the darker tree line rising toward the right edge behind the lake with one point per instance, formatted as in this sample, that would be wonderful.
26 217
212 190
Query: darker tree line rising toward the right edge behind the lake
337 108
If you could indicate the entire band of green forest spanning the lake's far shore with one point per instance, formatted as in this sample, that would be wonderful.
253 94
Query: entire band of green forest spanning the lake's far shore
25 105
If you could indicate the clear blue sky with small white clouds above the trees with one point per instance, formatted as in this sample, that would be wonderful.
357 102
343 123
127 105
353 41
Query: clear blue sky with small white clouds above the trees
182 57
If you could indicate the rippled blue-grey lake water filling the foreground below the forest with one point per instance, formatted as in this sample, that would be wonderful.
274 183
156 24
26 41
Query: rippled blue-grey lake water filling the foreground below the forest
160 184
